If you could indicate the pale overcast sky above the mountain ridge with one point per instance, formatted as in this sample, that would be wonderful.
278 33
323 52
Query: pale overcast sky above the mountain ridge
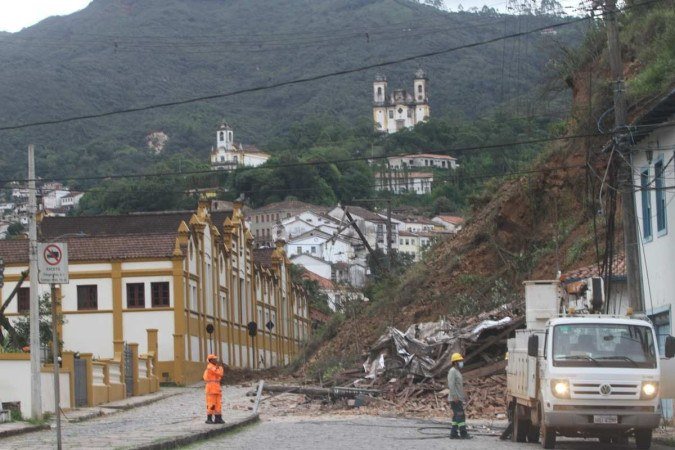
18 14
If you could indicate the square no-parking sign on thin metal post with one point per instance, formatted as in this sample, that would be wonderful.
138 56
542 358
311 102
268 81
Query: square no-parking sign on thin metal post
53 270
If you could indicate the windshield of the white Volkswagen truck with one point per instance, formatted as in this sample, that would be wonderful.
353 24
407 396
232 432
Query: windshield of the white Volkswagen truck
606 345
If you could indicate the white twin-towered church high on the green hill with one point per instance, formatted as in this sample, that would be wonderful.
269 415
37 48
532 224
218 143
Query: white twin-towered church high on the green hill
401 109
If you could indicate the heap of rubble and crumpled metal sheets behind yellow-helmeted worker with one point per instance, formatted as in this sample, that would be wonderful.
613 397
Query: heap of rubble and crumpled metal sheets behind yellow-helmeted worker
409 368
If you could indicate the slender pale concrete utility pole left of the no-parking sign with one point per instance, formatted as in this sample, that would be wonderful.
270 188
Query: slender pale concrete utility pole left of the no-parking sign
35 385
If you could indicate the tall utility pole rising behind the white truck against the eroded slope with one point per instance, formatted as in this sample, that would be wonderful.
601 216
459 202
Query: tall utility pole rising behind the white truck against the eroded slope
625 173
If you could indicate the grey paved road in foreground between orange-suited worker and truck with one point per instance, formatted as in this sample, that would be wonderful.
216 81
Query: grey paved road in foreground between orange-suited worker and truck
373 433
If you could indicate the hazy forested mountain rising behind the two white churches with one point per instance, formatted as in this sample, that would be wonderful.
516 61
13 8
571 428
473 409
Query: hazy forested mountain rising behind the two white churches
117 54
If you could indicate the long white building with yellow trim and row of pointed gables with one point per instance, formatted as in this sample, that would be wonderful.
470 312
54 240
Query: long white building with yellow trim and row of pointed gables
176 272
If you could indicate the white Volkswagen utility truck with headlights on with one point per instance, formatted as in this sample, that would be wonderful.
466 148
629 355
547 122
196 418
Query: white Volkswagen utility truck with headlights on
573 372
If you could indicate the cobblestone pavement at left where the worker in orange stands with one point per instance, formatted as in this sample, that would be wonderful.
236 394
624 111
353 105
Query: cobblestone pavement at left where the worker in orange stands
179 415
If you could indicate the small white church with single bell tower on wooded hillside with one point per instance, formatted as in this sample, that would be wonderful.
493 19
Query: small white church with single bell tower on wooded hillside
229 155
